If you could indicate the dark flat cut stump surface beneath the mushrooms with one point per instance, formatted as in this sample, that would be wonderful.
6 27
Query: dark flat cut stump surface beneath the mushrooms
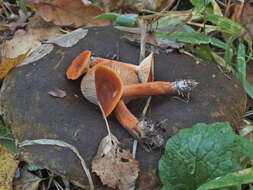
33 114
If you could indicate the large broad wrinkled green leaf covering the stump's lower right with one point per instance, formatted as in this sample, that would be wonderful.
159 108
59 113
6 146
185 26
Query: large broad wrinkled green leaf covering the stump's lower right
194 156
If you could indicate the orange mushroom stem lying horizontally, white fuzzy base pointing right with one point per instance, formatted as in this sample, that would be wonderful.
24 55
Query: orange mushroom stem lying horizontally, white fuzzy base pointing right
182 87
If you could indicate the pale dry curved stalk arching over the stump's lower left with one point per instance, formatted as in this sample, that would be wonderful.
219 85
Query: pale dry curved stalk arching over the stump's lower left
60 143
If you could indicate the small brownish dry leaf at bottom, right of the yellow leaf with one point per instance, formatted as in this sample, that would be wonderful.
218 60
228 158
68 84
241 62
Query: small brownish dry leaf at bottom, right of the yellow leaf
26 181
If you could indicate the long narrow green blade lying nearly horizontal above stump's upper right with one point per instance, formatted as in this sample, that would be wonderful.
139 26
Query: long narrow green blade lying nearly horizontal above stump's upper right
192 38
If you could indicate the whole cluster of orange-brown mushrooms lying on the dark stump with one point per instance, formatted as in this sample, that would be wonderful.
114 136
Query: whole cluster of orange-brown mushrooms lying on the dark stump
113 84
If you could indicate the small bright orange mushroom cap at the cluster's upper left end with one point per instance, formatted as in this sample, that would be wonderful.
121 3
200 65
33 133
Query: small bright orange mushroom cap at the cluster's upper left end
79 65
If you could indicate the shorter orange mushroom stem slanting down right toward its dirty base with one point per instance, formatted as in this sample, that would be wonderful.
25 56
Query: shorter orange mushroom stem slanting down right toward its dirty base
128 120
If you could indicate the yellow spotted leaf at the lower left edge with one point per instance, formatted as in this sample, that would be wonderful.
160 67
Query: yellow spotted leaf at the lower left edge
7 169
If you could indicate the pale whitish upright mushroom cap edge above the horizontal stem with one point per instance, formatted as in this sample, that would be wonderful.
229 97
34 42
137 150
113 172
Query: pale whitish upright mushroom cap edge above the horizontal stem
144 69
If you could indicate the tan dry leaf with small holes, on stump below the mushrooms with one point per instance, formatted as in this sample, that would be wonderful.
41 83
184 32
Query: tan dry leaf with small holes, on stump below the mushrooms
115 166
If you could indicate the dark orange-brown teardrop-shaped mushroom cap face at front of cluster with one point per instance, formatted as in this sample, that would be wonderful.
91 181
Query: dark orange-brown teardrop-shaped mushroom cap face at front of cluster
109 88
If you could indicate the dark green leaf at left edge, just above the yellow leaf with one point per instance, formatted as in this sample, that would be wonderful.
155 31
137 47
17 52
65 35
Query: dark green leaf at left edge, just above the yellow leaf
6 139
